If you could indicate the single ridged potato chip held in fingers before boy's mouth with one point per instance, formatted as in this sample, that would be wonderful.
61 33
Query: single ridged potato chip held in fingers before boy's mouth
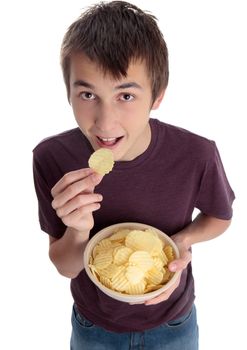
101 161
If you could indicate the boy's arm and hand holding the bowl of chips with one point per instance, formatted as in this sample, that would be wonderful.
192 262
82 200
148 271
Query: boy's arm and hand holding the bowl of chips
203 228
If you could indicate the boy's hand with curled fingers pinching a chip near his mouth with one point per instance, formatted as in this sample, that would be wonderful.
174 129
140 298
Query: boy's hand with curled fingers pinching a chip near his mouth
74 199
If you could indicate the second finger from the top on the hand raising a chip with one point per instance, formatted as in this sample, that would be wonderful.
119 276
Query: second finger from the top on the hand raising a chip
85 185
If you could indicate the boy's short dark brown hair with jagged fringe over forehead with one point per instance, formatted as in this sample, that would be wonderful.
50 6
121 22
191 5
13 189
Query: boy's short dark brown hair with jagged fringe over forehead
114 34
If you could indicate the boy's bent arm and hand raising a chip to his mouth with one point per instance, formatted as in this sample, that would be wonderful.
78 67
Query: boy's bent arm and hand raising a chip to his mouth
74 201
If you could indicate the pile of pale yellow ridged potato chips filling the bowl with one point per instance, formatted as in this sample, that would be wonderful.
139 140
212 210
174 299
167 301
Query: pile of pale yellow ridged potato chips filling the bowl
132 261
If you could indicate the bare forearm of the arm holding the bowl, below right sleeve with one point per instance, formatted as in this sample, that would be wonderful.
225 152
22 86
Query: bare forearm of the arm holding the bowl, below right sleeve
202 228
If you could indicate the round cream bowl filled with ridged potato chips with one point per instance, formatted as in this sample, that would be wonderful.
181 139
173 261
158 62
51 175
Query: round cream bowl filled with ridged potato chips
129 261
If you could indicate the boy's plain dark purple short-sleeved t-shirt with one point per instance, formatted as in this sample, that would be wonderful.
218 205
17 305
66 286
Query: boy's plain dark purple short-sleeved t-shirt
180 171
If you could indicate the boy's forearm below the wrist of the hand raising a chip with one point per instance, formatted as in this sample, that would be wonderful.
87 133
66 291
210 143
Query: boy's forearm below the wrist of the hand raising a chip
66 253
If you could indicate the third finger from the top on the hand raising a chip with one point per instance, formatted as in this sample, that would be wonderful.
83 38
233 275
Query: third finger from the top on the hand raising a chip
77 202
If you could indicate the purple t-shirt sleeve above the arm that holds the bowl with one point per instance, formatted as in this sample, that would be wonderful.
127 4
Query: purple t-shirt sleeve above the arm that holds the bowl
215 196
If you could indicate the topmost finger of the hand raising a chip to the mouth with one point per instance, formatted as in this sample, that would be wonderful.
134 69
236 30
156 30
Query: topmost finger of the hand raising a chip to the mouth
70 178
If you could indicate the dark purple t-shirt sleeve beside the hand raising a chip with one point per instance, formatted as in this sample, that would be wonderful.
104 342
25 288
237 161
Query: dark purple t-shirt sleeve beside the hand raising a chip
49 221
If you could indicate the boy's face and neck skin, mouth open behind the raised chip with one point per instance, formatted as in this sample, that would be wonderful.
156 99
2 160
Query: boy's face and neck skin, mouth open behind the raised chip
113 114
